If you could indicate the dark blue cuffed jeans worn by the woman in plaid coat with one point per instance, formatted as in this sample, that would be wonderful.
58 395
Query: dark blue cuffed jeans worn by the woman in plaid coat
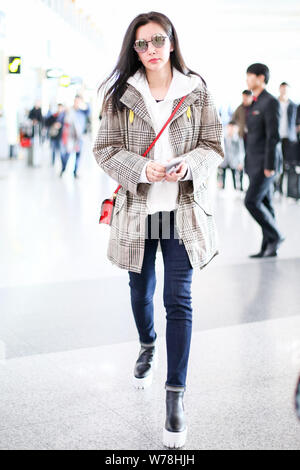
176 295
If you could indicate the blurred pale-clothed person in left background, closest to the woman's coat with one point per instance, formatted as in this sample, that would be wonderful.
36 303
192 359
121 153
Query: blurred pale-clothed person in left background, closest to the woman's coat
75 124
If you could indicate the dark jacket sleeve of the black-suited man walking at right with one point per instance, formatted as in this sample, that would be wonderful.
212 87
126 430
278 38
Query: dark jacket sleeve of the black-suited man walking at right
272 116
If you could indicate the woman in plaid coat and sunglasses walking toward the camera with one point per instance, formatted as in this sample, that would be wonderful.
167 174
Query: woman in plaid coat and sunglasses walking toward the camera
156 209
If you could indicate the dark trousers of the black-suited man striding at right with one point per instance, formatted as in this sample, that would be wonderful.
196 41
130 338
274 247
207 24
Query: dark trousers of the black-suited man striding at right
259 203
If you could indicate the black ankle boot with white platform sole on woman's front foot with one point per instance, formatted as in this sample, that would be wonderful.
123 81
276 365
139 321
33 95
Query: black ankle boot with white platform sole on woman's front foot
175 430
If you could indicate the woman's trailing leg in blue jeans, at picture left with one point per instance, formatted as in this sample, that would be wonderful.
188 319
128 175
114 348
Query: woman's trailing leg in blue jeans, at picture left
142 288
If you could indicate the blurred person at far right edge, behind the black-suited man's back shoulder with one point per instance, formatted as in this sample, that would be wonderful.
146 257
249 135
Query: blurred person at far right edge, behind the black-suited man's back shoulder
287 129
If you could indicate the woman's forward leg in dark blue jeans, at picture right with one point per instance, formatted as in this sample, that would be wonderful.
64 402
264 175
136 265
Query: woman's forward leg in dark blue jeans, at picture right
177 301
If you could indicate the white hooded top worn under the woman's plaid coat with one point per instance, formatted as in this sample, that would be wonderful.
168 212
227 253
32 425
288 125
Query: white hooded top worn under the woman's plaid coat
162 196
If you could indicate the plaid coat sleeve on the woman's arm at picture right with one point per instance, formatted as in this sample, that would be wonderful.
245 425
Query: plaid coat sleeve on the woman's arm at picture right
209 152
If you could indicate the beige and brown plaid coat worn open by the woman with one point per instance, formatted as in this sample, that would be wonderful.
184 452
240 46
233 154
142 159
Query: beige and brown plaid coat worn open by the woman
195 132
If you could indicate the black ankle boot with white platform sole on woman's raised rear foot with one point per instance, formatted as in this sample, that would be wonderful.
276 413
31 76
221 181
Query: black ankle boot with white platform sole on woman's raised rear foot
143 370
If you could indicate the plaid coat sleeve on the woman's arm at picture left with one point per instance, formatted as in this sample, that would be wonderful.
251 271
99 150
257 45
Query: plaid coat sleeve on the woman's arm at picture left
121 165
